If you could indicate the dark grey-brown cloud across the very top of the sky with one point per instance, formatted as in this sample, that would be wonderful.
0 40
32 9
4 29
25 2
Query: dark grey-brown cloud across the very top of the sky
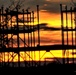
52 6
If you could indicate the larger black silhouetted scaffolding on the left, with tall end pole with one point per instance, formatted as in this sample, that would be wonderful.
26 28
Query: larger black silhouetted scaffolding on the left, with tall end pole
17 35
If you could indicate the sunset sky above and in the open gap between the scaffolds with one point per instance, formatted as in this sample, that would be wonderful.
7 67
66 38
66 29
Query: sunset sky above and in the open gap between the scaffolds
50 15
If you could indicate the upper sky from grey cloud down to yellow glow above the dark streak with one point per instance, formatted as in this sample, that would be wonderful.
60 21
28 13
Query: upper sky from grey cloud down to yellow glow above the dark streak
49 9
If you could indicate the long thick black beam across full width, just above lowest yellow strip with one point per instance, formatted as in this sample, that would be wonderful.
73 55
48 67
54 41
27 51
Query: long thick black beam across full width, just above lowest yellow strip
39 48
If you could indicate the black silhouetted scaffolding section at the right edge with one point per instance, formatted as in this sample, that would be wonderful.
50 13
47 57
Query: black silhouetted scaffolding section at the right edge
68 25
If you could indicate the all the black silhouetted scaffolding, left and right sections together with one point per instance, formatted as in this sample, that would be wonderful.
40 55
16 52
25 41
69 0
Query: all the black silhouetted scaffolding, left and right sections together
17 23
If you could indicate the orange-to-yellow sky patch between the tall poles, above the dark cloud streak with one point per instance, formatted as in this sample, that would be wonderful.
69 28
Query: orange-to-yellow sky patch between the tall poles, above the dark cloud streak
52 19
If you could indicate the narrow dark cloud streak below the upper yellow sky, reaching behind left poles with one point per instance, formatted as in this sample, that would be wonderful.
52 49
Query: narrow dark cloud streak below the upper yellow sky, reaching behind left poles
42 26
